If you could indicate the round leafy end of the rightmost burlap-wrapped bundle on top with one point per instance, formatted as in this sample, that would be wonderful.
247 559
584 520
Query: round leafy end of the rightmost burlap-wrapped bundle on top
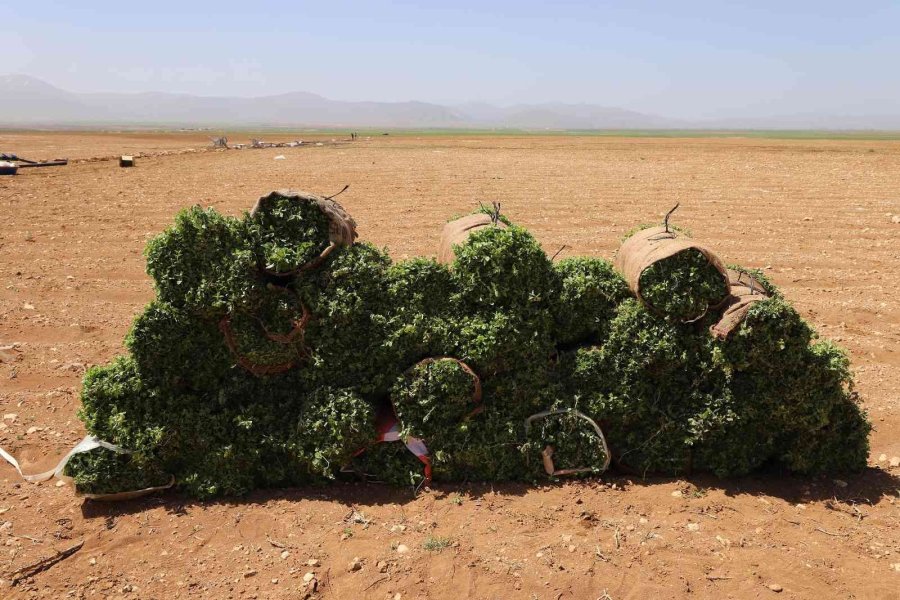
683 286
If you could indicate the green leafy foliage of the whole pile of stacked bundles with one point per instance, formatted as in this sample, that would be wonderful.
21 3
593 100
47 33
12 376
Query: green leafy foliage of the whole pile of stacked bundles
352 330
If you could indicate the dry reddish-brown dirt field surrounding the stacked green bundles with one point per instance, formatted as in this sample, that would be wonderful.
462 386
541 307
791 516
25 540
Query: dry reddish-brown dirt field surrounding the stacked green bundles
819 216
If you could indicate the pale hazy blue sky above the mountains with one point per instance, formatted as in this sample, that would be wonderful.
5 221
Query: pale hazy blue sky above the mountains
682 59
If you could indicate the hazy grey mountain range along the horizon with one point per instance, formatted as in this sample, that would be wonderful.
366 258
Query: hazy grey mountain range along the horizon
27 101
